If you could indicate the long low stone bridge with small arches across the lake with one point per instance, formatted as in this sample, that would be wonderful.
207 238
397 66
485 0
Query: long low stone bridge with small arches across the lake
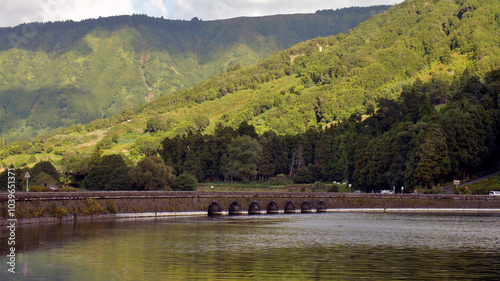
83 205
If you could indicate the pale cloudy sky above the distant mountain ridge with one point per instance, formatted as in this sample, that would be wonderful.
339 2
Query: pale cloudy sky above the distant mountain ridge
15 12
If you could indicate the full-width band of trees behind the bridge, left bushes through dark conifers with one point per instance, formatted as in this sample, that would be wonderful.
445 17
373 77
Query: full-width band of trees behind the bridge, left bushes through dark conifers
409 142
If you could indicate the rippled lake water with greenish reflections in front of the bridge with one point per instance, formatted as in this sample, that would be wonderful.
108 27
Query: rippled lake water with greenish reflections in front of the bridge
281 247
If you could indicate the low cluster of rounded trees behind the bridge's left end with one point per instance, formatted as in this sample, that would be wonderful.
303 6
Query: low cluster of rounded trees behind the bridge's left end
98 172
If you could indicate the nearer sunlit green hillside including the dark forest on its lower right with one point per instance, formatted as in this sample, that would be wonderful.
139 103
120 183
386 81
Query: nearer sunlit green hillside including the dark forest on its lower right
408 97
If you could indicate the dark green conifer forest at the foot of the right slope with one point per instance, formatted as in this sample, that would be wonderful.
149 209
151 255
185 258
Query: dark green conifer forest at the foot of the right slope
406 142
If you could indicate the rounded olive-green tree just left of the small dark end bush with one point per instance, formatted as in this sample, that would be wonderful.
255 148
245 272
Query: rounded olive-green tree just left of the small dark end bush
151 173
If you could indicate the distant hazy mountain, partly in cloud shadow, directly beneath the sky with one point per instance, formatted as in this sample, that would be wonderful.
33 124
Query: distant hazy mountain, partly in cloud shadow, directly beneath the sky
64 73
